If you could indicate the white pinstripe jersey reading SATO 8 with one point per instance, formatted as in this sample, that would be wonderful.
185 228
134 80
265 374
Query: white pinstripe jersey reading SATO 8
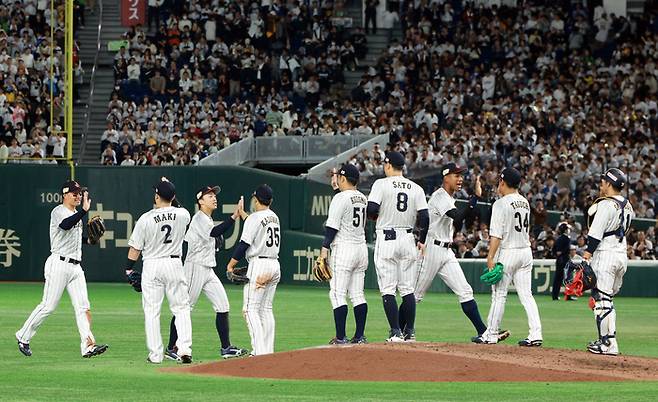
399 201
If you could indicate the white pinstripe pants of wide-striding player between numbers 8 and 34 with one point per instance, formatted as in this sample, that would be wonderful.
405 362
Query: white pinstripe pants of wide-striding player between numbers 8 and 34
442 261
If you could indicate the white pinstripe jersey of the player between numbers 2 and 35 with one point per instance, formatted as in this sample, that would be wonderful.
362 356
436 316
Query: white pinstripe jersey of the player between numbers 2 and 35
200 246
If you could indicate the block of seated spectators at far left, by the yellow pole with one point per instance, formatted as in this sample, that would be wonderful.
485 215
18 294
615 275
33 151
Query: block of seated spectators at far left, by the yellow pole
26 82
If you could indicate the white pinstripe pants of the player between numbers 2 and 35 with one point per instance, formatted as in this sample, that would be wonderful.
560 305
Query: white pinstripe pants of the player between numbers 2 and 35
203 278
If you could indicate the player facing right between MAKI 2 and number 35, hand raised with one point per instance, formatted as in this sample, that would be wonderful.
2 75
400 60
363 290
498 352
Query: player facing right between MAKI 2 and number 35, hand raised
202 240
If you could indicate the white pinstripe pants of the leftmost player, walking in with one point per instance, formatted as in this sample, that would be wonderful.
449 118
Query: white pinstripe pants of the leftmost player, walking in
61 275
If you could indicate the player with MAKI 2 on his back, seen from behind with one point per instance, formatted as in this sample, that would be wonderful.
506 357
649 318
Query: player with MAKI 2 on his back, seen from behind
158 237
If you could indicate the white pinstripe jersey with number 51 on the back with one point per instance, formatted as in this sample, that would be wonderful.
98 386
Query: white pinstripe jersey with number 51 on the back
347 214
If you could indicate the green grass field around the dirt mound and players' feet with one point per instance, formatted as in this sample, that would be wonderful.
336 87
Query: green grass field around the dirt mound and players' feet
57 372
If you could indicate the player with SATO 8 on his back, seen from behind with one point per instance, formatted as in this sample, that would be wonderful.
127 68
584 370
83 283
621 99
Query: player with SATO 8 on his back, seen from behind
396 203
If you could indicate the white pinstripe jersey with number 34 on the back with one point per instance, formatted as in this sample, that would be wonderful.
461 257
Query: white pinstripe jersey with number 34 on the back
510 221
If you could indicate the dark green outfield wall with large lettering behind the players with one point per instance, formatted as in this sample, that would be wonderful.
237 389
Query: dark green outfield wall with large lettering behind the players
121 194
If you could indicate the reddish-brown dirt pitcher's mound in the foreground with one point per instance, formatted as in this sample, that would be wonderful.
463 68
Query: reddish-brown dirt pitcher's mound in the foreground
434 362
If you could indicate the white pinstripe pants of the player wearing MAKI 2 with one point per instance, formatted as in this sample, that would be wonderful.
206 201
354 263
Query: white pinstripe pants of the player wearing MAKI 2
165 276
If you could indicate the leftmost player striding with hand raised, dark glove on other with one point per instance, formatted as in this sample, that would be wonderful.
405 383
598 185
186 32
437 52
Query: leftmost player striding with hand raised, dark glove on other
63 271
